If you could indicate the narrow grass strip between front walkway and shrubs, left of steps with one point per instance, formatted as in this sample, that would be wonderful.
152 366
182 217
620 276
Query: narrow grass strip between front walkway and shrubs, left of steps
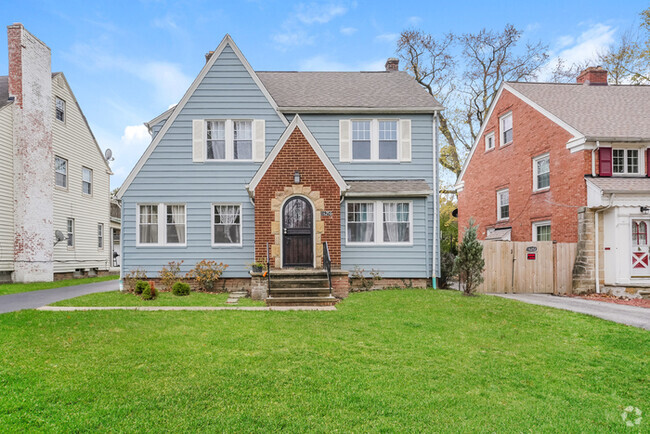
117 298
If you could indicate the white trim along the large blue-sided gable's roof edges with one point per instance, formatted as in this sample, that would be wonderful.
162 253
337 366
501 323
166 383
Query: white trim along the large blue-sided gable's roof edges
226 41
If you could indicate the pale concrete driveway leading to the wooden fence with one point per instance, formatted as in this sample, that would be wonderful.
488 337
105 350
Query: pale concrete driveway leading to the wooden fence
620 313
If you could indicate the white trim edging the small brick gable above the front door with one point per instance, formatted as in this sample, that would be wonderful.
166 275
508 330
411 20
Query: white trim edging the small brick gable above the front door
297 122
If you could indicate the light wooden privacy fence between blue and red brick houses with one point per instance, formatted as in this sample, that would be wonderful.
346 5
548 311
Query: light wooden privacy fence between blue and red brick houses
528 267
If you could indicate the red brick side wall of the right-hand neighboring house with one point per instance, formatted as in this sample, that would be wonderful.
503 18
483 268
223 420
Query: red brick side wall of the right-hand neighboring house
512 167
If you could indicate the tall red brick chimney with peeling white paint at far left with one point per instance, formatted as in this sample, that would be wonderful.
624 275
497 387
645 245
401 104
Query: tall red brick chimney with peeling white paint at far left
30 84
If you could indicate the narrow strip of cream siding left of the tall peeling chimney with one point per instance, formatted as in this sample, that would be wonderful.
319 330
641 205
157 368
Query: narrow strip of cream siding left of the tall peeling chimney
6 189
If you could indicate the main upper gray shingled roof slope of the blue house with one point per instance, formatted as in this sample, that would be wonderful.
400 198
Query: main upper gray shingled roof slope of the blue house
372 90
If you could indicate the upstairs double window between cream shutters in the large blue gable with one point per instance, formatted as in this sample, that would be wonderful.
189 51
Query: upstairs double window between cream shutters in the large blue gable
229 140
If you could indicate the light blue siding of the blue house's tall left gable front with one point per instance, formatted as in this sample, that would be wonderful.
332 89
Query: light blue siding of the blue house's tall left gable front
170 176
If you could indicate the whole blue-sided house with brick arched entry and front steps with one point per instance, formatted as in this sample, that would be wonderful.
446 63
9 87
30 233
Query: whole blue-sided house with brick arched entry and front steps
321 175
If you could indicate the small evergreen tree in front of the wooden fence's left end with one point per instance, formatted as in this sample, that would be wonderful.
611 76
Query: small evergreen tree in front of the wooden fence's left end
469 263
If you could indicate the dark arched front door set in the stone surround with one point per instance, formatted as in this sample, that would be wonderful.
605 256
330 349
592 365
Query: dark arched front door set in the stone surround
297 233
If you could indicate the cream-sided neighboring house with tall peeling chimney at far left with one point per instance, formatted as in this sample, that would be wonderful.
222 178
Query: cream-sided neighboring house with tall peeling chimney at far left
53 175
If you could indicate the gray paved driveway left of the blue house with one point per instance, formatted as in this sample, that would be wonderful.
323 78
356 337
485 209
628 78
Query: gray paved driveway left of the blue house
34 299
